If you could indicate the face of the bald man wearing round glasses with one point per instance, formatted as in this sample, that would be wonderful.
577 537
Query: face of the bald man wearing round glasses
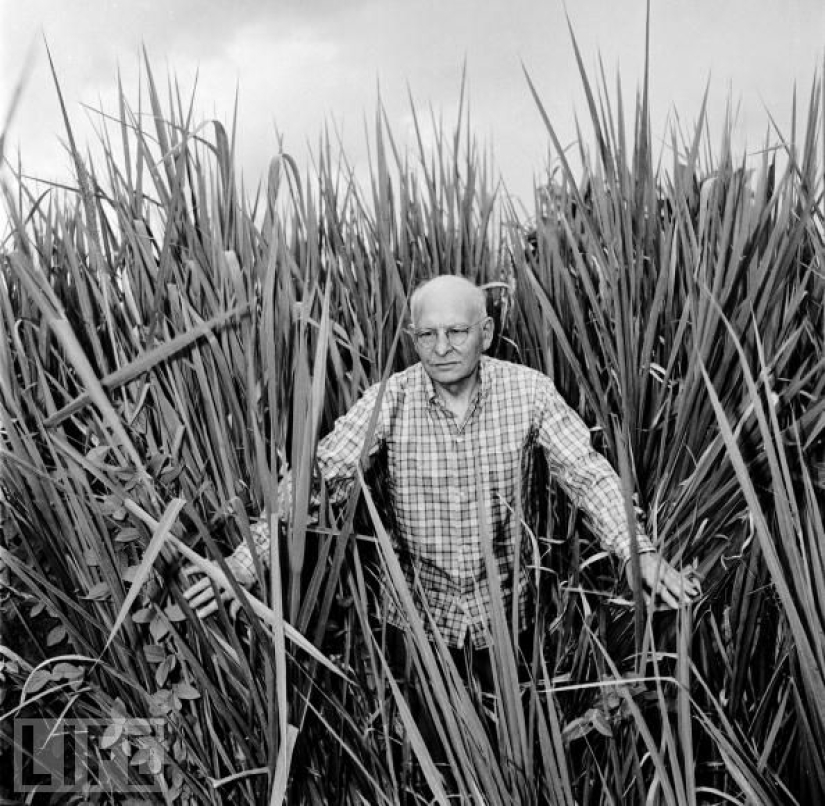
448 363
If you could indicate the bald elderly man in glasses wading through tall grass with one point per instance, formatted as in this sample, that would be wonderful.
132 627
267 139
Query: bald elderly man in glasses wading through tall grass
453 420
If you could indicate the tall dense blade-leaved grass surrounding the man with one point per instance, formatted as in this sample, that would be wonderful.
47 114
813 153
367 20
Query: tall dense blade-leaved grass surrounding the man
173 342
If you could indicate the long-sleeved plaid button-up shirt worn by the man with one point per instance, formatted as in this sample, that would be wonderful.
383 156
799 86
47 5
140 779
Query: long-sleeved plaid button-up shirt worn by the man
434 464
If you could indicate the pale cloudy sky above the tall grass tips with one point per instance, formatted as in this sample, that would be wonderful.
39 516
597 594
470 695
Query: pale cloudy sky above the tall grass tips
297 66
